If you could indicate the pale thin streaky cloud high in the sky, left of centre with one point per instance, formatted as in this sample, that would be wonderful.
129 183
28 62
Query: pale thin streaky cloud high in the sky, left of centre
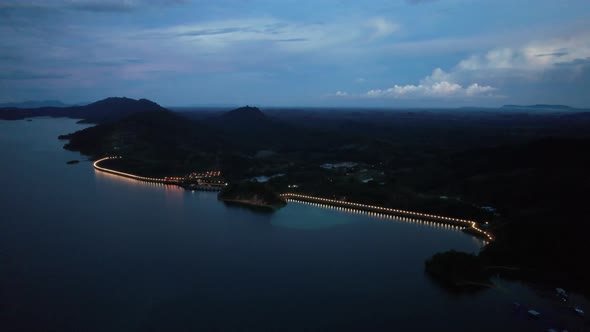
270 33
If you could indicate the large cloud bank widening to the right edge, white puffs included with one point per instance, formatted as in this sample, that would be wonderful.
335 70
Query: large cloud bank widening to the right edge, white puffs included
550 64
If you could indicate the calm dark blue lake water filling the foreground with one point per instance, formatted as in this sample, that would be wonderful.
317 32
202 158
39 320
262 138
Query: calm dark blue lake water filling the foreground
88 251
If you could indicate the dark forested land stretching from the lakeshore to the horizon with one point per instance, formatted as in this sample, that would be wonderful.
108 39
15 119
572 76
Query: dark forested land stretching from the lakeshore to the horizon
516 175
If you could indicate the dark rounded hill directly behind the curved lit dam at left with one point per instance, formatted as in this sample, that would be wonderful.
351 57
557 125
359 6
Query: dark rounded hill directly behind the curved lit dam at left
153 142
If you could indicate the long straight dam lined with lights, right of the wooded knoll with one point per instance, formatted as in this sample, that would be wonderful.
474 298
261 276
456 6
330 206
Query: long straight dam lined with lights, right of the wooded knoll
471 224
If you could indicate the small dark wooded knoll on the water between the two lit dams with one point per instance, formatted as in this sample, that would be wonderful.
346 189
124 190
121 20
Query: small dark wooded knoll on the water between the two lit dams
252 194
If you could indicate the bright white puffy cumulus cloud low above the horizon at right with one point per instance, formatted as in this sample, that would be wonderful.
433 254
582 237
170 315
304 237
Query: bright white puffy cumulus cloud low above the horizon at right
438 85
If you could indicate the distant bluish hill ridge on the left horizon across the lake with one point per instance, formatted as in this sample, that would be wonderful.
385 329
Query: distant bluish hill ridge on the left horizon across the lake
106 110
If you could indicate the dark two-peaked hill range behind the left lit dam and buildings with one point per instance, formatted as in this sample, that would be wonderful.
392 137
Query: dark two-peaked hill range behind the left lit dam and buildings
167 143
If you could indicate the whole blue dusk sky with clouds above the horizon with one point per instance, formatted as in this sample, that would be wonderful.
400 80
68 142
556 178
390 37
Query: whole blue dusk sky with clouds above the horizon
418 53
